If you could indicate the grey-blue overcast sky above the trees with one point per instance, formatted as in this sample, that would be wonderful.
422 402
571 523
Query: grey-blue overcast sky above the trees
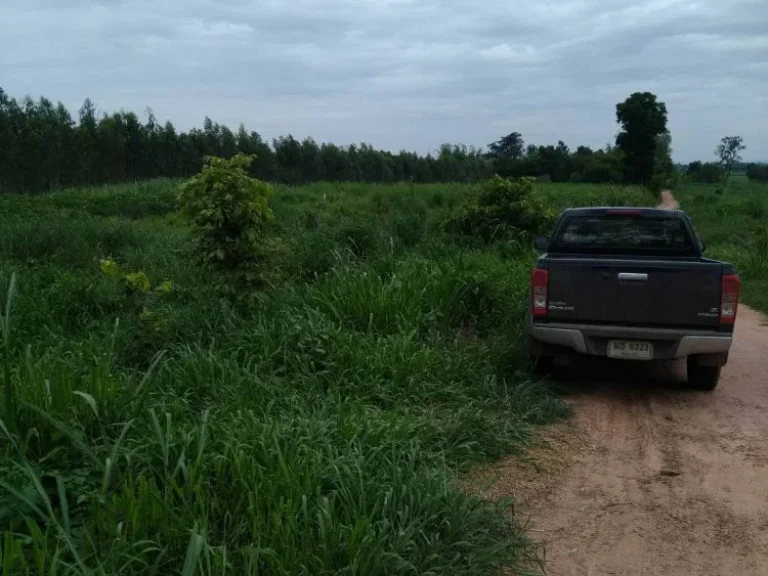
403 74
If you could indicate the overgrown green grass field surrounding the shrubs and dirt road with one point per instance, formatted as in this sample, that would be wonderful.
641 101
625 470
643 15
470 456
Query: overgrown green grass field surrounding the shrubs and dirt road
319 433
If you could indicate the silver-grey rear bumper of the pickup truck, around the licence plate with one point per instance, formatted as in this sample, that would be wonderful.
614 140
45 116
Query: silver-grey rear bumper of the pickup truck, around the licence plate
668 343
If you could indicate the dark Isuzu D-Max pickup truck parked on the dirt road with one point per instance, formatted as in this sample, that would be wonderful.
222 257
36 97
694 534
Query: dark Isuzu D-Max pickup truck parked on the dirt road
631 283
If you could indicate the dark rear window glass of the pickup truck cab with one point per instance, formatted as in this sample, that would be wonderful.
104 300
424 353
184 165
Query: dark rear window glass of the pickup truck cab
610 234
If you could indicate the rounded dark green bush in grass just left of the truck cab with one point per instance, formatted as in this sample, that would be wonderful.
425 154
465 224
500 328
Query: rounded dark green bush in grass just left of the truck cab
503 207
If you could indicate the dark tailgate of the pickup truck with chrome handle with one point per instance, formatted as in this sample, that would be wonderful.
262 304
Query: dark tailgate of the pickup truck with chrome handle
635 291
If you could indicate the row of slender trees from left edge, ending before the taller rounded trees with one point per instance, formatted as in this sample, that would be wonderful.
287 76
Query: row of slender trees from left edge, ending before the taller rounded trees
43 148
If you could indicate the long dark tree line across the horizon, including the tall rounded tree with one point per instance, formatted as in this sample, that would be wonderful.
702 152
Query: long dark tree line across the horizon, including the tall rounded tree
42 147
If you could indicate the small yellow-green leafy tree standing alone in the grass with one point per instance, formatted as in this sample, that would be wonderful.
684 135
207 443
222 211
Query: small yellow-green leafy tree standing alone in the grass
230 208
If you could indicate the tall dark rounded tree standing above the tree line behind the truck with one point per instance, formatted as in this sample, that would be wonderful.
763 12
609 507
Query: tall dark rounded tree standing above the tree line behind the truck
643 118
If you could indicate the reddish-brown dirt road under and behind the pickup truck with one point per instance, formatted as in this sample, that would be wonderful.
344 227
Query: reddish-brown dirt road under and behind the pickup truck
649 478
